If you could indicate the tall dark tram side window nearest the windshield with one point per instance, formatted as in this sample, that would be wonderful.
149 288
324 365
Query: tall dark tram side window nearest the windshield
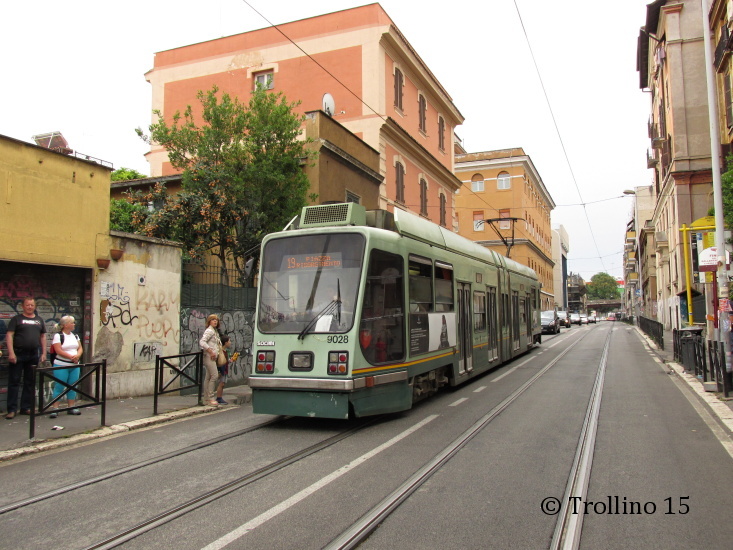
381 332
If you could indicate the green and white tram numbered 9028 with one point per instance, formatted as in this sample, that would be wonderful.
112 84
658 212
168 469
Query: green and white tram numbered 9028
362 313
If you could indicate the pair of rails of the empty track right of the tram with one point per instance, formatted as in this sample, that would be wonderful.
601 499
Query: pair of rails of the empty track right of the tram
365 525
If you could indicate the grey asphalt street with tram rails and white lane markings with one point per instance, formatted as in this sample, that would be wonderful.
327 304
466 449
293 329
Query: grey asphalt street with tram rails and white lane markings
585 440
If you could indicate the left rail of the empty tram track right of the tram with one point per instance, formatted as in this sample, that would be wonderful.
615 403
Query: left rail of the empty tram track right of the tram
363 527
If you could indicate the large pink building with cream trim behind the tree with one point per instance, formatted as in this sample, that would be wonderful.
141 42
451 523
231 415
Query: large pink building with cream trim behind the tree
358 65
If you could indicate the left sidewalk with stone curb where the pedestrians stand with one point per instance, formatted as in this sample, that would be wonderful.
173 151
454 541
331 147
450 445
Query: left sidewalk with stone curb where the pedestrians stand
122 415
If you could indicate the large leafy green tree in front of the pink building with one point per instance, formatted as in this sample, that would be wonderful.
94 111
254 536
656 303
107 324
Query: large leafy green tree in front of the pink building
241 176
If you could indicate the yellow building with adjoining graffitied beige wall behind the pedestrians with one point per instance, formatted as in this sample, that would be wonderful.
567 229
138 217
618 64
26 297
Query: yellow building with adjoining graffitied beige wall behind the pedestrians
56 246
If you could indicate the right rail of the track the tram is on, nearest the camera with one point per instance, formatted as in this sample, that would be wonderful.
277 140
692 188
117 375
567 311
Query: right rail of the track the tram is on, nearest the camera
223 490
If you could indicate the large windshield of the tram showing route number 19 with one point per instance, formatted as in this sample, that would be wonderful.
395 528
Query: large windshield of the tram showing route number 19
309 283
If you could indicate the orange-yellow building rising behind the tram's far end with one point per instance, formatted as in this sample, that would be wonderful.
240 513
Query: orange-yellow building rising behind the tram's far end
503 205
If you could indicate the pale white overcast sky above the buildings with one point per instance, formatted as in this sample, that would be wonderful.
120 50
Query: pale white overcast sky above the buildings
556 78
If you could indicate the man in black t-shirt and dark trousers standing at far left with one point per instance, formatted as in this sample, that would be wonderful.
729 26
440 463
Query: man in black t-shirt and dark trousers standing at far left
26 337
